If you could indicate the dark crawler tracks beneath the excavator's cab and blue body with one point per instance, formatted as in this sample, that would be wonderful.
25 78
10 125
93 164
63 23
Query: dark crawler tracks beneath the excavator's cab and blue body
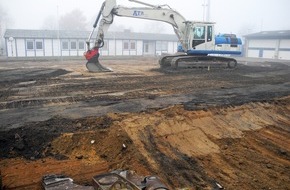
197 61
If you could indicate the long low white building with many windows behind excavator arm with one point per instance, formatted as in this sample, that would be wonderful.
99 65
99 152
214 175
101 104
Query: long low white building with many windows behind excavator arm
50 43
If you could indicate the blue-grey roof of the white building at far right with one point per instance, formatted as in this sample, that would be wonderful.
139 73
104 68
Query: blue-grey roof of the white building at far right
278 34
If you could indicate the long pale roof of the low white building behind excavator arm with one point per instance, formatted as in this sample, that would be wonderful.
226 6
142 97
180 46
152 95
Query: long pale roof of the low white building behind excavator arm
65 34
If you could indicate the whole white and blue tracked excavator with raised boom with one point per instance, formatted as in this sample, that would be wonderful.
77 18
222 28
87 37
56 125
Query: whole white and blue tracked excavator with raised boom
199 46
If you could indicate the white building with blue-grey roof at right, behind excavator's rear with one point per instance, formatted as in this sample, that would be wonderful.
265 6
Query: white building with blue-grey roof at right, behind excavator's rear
268 44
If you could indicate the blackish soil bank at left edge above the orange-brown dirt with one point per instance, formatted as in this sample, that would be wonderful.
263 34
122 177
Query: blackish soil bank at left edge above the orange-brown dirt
31 140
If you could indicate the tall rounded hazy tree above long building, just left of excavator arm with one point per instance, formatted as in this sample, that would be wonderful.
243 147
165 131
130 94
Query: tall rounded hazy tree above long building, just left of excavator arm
74 20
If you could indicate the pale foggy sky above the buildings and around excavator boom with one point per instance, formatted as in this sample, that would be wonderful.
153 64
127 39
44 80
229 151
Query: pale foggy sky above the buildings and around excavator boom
231 16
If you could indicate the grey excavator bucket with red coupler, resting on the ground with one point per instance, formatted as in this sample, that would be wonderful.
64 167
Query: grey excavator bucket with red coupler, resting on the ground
93 64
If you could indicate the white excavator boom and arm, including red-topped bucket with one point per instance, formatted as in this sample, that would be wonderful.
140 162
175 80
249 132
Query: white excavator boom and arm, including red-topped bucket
110 9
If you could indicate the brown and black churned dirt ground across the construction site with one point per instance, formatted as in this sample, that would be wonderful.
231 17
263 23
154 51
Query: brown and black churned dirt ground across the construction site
195 129
